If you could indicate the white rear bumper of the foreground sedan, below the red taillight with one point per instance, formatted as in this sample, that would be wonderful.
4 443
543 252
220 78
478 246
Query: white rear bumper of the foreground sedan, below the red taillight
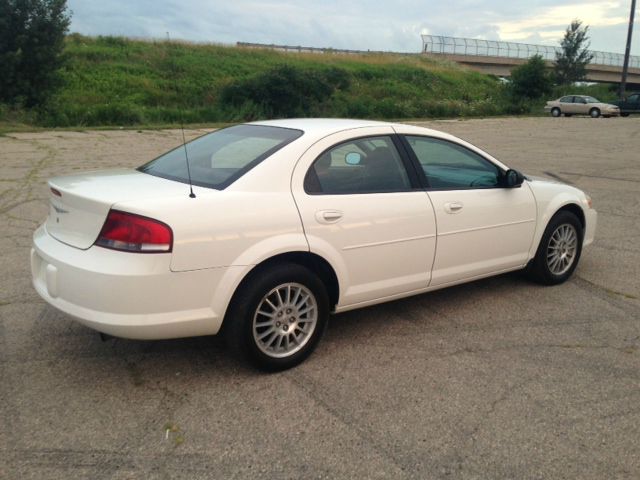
128 295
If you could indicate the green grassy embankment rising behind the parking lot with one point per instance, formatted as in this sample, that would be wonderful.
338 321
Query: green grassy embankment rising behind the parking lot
112 81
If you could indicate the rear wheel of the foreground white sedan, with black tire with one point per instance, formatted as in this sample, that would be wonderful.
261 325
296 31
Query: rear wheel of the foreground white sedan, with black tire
266 283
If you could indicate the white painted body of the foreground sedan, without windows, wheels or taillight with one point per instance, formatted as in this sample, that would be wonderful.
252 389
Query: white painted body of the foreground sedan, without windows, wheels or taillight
384 246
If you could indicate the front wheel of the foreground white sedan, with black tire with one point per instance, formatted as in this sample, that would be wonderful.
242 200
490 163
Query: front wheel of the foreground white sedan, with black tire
539 269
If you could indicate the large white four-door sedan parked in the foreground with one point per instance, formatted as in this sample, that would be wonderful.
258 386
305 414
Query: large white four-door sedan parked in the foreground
261 230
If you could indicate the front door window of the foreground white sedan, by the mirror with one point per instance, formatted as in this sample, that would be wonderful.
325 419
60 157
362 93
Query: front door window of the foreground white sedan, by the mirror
451 166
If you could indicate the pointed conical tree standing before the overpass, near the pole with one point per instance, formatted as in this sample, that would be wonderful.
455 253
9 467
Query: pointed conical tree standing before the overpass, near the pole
574 55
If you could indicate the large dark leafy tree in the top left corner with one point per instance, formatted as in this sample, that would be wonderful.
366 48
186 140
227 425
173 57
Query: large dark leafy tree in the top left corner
31 42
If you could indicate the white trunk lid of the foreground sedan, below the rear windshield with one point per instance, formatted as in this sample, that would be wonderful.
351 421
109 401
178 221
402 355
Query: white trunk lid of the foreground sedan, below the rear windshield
79 204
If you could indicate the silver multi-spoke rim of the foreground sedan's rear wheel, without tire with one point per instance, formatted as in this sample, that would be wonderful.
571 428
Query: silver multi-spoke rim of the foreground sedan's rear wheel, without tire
285 319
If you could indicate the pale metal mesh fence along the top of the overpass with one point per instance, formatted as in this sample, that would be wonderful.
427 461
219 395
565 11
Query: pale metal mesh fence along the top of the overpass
493 48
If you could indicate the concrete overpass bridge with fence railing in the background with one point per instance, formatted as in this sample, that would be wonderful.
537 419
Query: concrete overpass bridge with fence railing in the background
498 58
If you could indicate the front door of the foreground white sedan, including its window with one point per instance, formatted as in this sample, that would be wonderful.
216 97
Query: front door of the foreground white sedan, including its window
483 228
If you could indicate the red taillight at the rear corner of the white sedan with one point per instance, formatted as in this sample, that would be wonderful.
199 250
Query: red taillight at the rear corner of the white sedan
134 233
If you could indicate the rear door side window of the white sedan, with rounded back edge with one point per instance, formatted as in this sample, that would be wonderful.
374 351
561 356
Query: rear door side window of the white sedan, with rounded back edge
364 165
